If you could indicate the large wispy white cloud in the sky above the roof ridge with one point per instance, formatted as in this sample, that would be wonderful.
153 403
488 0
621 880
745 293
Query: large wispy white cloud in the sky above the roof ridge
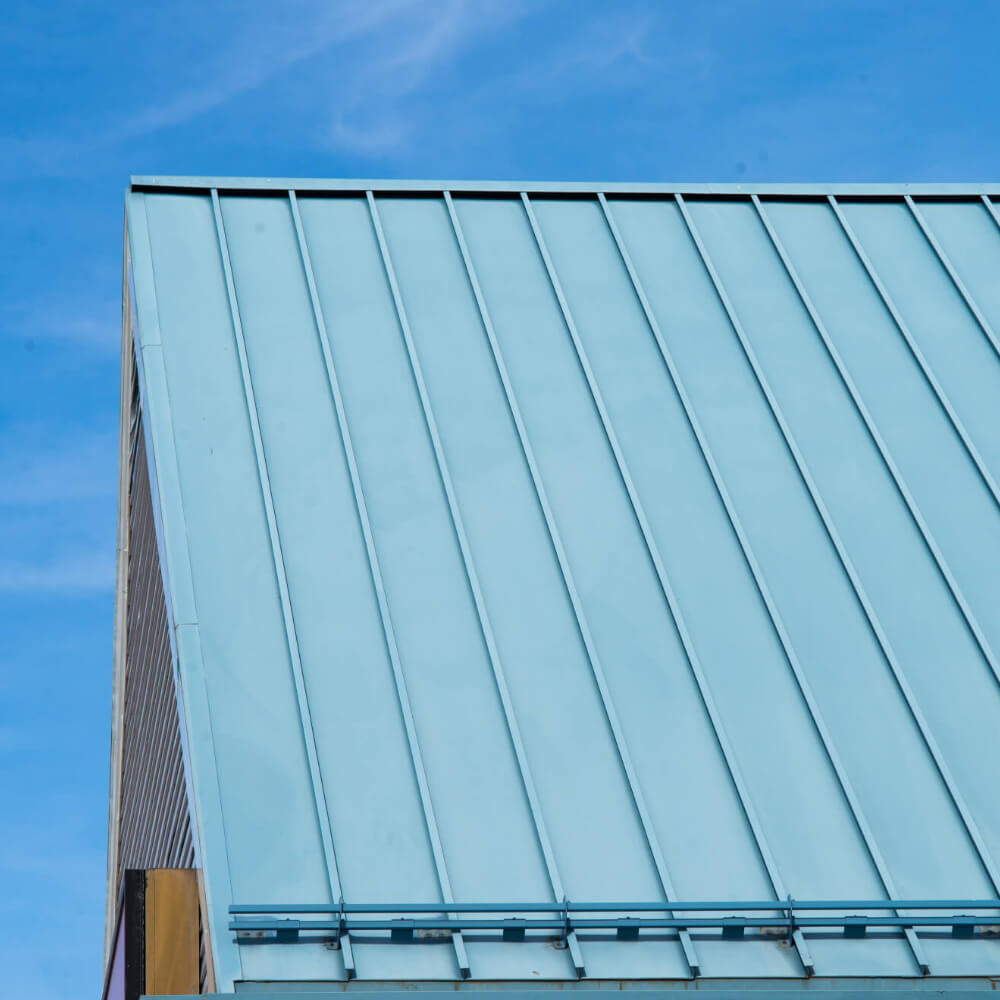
380 73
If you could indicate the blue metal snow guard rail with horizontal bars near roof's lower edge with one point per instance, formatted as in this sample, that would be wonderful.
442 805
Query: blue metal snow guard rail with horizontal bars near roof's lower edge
559 919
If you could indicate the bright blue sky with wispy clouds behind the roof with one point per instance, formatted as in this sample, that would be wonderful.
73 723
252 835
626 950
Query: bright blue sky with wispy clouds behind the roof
718 90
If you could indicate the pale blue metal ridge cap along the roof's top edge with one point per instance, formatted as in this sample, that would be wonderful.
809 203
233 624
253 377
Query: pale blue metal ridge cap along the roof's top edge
145 182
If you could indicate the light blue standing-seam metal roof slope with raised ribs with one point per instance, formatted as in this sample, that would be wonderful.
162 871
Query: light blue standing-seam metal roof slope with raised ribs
598 544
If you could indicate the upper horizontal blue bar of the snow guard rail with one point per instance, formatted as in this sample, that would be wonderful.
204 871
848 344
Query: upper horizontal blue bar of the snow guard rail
660 906
